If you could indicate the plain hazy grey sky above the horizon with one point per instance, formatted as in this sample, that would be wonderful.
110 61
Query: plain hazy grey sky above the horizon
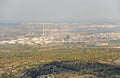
60 10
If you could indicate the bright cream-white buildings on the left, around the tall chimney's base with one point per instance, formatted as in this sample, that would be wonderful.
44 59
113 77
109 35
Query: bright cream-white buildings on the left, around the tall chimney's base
28 41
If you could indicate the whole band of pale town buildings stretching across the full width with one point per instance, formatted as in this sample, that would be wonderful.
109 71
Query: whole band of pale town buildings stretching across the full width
93 38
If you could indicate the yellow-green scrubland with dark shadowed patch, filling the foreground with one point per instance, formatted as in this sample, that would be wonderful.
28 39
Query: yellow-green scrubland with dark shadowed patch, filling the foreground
62 61
